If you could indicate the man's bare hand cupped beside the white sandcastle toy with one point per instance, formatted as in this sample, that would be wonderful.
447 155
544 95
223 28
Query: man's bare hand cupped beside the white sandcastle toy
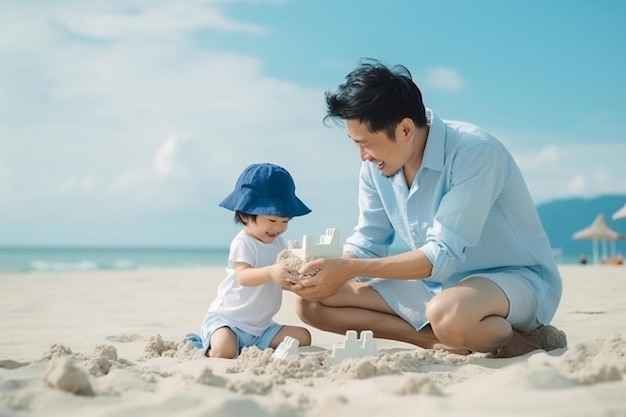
321 278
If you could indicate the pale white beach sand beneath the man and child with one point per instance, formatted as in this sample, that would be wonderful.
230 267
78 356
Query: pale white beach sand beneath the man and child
103 344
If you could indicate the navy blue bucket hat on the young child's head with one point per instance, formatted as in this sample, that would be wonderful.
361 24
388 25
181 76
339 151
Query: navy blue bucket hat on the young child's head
265 189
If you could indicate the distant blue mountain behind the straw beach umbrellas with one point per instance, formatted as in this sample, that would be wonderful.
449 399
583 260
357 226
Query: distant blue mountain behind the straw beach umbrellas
562 218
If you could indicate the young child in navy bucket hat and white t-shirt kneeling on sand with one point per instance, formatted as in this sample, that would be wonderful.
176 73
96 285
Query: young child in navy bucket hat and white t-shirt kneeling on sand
241 315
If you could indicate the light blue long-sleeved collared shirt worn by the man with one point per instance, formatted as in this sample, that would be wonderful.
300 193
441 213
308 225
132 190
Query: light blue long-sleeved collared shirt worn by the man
468 210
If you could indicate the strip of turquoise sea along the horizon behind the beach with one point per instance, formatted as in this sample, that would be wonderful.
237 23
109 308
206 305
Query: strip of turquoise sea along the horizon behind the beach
57 259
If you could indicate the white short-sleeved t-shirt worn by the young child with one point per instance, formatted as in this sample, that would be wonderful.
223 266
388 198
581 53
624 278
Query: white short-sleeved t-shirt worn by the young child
249 308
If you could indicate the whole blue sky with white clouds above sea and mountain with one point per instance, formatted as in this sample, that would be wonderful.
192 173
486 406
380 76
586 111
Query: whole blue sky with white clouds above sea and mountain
126 122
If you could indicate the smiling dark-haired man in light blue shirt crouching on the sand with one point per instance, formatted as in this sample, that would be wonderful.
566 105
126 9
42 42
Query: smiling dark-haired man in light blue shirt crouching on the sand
479 275
